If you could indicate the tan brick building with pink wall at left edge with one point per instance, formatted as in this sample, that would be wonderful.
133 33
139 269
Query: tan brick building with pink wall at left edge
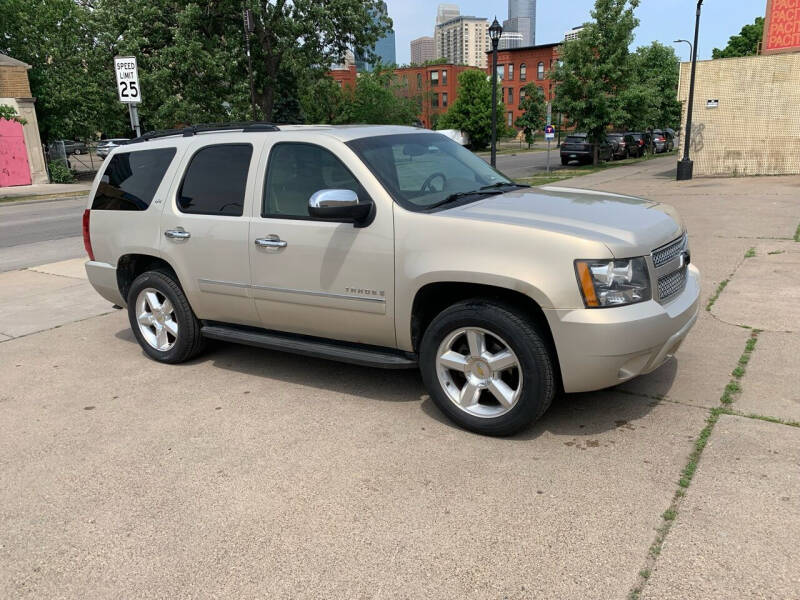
21 156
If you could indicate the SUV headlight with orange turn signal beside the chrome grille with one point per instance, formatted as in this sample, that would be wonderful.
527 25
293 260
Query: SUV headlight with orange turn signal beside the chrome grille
613 282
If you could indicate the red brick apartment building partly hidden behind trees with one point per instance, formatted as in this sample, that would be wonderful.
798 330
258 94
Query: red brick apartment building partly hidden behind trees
436 86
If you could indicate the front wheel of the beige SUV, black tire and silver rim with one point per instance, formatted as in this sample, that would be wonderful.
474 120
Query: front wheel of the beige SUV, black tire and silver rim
451 371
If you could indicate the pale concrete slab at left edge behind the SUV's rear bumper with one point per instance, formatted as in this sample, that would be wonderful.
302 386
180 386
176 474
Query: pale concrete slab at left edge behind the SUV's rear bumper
48 296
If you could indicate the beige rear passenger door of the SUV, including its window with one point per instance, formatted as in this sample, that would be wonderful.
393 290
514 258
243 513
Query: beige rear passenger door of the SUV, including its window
205 225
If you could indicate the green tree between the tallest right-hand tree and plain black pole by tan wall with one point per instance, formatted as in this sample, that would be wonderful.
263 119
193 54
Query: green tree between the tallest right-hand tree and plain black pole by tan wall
650 100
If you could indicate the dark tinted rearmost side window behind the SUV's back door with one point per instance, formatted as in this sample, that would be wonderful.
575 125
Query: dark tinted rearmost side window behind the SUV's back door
130 179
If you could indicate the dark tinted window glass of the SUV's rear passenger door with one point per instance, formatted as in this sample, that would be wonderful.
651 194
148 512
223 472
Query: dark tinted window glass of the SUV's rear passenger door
215 181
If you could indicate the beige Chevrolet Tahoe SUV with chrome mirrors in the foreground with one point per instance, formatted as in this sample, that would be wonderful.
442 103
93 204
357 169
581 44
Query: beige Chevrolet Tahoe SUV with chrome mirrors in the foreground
389 247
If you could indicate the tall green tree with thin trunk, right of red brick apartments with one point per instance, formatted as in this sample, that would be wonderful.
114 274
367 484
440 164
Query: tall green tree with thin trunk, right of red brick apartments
595 68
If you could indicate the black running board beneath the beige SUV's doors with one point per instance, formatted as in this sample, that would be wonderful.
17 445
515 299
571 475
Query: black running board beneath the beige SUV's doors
366 356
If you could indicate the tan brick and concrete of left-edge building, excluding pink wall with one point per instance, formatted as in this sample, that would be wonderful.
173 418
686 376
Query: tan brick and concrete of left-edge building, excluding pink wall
15 91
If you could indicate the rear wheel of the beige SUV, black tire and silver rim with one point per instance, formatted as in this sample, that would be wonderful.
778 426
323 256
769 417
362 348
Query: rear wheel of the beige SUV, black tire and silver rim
172 337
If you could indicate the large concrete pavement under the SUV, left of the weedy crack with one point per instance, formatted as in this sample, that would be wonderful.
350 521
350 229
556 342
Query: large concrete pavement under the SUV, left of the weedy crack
250 472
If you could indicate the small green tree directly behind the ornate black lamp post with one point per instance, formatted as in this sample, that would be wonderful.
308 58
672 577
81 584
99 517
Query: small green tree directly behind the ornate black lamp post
472 110
